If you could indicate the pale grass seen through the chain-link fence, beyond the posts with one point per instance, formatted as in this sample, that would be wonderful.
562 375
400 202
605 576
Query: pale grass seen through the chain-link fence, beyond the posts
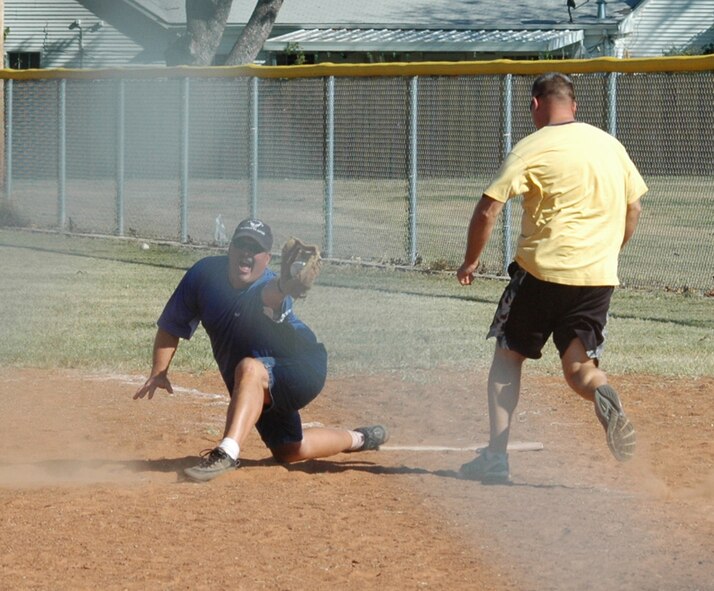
671 247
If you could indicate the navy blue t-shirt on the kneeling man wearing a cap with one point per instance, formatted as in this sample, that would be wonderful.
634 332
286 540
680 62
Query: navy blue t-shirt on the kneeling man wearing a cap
235 320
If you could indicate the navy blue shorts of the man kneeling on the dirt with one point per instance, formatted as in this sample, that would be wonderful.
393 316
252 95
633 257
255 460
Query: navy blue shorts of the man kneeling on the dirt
294 383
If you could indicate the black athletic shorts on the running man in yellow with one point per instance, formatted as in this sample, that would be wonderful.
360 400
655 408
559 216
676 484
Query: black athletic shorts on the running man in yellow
530 310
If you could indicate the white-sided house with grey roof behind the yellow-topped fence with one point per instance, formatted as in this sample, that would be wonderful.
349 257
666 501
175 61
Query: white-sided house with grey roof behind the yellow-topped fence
138 31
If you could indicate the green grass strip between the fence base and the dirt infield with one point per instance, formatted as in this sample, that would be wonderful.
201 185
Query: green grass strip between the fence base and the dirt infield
93 303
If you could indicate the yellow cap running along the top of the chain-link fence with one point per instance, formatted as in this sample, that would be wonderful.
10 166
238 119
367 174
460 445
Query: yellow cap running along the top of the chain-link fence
494 67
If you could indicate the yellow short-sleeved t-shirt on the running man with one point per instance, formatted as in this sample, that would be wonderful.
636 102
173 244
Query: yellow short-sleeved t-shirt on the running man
576 181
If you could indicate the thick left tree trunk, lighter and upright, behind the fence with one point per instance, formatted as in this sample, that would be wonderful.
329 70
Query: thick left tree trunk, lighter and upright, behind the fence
205 23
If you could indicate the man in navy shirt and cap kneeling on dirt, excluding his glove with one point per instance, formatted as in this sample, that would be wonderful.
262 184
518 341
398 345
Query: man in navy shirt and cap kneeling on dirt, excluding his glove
271 362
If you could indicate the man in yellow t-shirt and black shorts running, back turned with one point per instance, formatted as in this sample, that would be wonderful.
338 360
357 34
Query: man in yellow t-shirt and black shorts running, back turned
581 202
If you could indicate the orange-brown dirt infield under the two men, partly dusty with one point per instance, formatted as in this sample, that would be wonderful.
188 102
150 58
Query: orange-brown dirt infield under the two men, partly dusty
92 496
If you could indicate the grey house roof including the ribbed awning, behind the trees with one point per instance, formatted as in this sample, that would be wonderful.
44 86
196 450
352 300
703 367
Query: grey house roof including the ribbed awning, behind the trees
516 27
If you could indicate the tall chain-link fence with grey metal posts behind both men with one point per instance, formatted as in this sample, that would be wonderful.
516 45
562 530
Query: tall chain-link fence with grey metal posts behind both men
383 168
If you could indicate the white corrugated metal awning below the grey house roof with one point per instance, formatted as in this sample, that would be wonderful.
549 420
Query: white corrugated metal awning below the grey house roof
418 40
